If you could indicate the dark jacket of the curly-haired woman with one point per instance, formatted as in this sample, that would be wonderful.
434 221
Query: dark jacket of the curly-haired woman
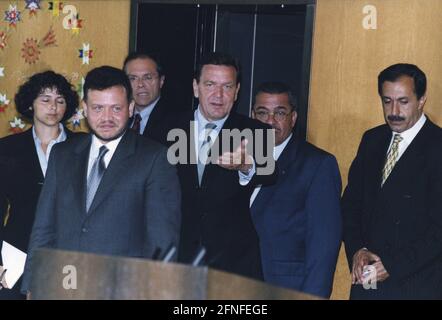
21 180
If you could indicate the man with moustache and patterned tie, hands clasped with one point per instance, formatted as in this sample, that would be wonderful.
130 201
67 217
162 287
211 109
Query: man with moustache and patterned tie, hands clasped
392 206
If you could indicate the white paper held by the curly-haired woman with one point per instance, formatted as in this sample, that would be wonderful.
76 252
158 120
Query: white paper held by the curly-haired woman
14 262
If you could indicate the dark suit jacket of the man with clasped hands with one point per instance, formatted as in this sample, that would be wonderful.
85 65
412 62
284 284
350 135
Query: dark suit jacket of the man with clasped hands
402 221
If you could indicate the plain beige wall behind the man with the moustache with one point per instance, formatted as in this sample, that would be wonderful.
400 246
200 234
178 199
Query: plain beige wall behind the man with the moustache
346 61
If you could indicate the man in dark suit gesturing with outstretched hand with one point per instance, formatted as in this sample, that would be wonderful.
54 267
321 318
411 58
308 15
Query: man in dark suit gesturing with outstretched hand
215 205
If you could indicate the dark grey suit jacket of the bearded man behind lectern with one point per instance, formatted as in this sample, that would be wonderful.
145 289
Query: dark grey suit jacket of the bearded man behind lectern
135 209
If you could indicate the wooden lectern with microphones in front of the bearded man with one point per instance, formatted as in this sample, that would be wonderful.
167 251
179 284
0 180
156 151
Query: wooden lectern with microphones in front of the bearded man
60 274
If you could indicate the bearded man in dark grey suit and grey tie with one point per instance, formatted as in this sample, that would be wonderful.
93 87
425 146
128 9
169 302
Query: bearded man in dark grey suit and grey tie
111 192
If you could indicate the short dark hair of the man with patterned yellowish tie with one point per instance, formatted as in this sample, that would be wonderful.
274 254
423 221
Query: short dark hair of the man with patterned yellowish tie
394 72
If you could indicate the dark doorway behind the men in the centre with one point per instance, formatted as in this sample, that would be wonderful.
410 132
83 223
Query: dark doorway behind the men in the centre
272 42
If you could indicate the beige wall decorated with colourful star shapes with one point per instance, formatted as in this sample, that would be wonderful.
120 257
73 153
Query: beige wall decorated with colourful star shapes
105 27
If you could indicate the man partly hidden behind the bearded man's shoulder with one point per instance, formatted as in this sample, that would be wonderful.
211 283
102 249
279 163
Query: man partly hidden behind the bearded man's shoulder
147 77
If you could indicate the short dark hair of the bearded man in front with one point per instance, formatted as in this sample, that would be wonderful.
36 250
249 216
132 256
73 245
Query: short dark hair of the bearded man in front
106 77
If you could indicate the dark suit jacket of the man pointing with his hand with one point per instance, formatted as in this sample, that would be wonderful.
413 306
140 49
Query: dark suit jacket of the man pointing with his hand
216 214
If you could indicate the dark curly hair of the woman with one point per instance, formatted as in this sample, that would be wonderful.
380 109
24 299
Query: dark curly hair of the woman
36 84
